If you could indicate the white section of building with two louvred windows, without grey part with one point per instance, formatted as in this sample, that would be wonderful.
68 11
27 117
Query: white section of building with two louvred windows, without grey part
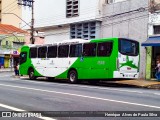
70 19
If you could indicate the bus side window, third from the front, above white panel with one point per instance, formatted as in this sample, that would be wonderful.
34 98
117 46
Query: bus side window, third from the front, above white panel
52 52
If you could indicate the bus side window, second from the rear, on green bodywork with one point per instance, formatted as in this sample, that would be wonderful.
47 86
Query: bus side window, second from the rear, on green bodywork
89 49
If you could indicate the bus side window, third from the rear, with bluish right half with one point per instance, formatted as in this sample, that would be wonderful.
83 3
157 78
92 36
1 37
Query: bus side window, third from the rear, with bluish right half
75 50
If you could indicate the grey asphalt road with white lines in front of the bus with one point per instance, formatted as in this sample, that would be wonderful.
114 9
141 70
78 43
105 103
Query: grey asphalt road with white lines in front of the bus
21 94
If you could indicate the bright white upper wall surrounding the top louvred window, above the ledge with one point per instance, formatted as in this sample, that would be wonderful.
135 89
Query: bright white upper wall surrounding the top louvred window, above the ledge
53 12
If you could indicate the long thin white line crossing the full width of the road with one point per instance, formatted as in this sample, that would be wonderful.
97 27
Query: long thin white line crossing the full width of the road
84 96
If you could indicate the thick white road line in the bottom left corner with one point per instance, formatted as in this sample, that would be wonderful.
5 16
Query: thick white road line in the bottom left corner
21 110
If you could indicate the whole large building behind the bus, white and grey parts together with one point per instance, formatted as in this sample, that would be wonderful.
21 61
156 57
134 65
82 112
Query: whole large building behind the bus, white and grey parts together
90 19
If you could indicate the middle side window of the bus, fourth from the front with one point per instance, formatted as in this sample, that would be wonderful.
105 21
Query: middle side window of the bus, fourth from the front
63 51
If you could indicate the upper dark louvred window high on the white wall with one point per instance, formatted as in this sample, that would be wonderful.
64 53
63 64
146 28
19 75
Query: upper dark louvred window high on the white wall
72 8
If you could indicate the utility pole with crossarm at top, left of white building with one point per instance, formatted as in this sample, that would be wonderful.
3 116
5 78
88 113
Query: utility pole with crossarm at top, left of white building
29 3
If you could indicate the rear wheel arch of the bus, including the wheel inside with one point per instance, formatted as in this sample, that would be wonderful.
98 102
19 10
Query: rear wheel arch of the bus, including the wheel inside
73 75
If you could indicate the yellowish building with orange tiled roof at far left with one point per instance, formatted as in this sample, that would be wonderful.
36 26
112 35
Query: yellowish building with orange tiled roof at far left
11 39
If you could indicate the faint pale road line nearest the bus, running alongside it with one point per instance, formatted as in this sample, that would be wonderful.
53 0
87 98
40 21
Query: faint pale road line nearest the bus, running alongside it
100 88
